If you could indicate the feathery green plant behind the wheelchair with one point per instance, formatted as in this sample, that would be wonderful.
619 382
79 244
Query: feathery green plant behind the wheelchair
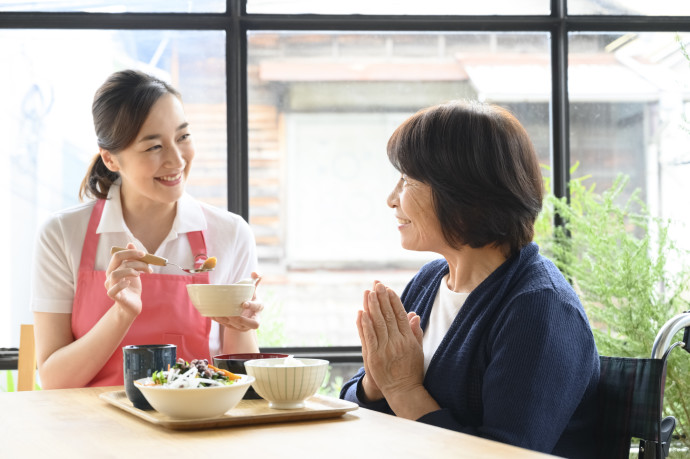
630 276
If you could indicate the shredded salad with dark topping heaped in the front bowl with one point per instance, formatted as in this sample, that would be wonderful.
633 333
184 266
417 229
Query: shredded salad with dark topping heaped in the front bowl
189 375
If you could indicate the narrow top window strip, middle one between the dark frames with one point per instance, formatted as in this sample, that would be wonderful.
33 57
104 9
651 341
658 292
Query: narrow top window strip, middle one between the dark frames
406 7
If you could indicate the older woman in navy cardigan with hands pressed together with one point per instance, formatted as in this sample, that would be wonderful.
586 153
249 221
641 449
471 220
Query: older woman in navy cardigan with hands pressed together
490 340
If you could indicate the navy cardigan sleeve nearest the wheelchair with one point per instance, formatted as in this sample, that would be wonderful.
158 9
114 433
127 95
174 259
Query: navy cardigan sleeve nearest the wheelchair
542 358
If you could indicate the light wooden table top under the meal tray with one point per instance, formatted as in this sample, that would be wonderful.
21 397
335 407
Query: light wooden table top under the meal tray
76 423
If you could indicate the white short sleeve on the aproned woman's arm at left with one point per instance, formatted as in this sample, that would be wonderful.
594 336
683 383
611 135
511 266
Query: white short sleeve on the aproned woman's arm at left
53 272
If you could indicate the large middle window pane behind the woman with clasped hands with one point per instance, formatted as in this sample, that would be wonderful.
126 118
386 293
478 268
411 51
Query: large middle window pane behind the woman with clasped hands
321 109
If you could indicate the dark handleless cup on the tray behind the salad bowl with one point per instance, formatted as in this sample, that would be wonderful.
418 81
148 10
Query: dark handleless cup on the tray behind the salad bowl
140 361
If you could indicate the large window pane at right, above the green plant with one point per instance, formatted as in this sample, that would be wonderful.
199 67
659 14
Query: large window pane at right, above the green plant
630 102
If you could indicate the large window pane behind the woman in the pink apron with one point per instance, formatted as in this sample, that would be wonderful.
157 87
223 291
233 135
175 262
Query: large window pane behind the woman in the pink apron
49 138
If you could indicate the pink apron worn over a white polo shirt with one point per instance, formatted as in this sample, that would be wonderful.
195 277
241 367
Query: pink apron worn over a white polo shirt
167 316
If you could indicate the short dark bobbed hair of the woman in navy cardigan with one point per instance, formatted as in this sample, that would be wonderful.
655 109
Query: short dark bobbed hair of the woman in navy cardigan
484 175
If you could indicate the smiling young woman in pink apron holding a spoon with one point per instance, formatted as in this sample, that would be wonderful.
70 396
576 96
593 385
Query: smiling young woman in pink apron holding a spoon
87 303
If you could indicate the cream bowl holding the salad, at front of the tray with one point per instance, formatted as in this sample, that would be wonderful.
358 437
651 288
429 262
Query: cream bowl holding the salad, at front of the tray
197 403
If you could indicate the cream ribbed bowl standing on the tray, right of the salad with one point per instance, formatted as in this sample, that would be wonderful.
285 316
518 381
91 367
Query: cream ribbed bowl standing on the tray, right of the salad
286 386
